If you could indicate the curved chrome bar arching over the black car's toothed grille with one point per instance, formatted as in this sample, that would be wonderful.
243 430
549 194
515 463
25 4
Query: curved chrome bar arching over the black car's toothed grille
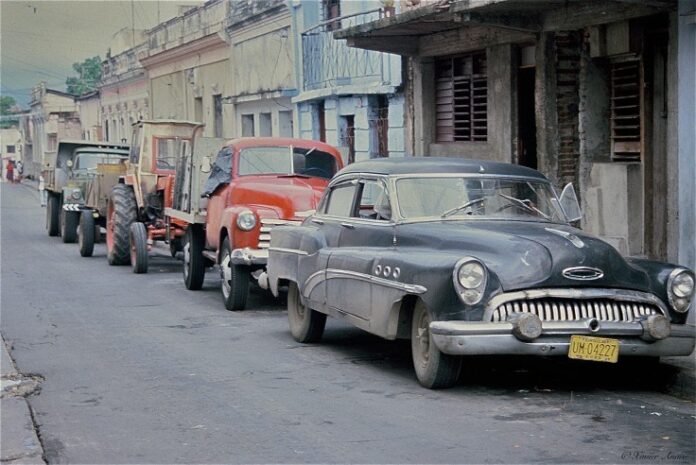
576 294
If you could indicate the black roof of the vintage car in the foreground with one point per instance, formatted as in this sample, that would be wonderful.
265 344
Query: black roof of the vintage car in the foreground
433 165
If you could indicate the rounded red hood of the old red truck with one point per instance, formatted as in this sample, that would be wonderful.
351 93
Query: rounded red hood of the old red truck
283 194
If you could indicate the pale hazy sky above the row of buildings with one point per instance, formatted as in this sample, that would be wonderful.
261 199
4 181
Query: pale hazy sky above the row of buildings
40 40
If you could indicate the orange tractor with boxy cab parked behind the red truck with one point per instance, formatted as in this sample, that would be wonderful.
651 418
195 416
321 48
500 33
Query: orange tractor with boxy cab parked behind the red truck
135 212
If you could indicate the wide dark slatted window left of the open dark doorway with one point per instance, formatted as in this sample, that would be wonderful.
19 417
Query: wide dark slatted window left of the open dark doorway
461 98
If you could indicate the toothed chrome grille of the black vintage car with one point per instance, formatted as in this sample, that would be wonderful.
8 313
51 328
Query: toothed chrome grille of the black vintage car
569 309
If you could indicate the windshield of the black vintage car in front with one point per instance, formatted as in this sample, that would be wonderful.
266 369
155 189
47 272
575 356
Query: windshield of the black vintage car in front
480 197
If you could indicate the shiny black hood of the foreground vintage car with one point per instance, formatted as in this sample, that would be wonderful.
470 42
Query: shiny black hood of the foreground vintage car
529 254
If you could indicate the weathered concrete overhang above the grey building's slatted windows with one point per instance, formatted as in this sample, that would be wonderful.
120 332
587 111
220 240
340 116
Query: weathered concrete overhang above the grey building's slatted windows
402 34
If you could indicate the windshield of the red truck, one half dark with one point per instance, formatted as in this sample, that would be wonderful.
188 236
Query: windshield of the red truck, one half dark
291 161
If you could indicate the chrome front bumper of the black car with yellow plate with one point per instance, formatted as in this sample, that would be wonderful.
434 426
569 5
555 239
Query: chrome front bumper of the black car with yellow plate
483 338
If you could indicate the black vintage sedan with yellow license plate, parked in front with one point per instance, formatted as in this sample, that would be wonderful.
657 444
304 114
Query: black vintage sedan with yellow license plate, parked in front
470 257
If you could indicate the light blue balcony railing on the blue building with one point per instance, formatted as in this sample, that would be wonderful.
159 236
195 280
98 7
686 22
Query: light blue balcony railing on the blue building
328 62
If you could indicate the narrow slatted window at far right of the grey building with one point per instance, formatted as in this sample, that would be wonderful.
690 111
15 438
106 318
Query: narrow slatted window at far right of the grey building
625 111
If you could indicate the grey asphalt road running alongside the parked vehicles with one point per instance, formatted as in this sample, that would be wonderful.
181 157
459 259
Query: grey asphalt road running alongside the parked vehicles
139 370
